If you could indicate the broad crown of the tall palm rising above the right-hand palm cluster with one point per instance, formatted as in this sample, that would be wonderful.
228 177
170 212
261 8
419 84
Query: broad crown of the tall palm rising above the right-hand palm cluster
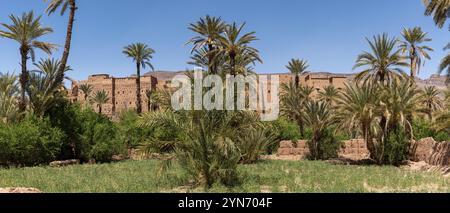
383 64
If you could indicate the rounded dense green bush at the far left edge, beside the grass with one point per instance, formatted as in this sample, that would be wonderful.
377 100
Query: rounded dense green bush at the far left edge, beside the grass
30 142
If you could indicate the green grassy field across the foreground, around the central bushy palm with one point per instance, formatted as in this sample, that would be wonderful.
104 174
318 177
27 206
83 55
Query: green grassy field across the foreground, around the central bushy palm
266 176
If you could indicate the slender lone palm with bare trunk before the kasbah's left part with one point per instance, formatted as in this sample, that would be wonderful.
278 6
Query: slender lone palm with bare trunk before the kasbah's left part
141 54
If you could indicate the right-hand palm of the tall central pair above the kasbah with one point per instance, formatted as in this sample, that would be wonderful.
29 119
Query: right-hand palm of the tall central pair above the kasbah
232 44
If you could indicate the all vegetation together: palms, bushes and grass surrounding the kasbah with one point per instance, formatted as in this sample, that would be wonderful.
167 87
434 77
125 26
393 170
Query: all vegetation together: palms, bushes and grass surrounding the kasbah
220 150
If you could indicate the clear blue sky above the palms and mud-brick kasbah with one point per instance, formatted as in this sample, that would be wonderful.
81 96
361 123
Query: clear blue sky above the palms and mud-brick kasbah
328 33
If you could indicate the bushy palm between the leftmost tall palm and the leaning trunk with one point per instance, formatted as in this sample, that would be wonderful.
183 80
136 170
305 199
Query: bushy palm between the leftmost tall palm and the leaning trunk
46 86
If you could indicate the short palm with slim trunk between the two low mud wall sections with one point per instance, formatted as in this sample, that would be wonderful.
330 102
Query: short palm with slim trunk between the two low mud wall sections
318 117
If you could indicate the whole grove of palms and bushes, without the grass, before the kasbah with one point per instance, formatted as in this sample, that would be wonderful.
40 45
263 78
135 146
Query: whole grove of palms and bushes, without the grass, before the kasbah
383 105
